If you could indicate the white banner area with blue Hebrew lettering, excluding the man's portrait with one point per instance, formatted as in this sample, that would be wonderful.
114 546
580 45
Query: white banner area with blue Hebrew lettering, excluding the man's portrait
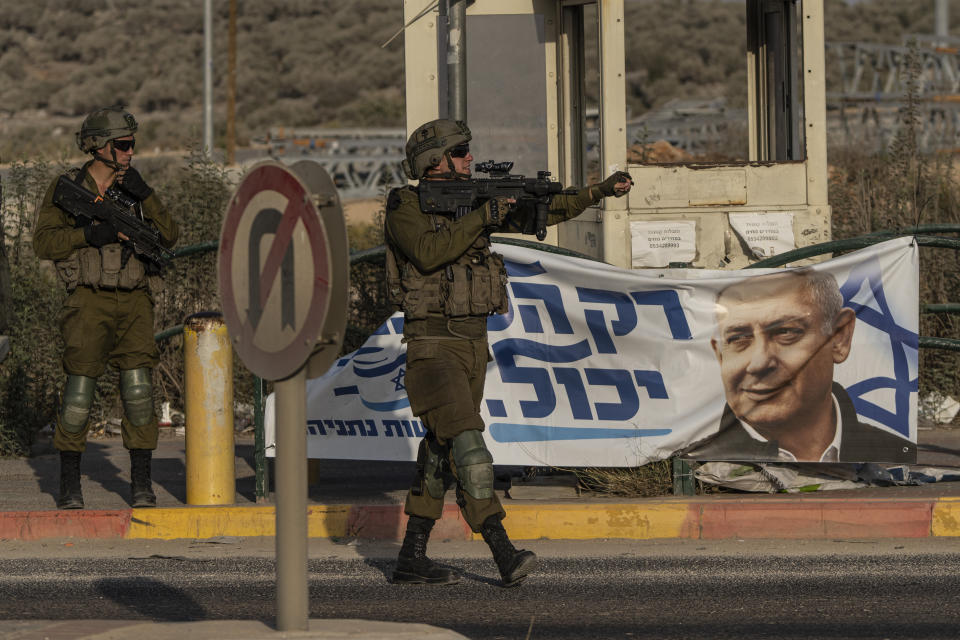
599 366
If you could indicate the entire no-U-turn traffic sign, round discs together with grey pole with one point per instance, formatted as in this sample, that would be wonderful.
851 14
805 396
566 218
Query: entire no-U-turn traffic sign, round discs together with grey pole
279 274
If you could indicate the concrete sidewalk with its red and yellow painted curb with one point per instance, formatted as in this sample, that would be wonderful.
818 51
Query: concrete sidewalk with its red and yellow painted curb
365 501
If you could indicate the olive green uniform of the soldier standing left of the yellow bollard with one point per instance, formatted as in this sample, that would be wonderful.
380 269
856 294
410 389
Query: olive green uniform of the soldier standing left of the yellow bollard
107 318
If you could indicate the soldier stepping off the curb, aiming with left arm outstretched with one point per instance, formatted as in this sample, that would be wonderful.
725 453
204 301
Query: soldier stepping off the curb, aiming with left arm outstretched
441 272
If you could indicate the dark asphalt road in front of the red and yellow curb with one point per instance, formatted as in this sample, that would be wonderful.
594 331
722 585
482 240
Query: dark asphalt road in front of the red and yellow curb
608 589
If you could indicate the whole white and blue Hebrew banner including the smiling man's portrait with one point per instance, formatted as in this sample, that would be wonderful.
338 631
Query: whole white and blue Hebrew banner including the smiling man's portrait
595 365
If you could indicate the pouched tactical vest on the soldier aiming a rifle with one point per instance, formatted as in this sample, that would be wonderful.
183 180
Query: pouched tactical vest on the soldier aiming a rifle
474 285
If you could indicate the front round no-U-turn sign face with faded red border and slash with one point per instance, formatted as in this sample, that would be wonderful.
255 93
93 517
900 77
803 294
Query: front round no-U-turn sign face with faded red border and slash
274 271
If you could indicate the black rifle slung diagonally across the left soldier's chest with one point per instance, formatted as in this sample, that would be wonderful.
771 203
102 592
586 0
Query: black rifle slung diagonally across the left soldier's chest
144 240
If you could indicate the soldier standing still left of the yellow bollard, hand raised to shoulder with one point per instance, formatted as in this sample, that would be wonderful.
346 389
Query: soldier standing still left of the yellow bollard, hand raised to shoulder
108 316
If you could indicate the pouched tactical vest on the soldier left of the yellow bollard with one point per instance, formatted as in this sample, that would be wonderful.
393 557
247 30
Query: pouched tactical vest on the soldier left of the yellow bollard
112 266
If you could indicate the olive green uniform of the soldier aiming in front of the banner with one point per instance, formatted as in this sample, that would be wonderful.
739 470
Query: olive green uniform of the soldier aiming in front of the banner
443 275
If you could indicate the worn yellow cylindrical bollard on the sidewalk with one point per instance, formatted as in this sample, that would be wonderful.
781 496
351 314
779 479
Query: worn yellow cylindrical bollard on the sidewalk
208 399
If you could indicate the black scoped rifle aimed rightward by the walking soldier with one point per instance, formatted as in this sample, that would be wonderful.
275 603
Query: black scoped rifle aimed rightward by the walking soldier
461 196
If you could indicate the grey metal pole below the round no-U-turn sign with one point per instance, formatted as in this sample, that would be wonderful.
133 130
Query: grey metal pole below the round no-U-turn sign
291 497
